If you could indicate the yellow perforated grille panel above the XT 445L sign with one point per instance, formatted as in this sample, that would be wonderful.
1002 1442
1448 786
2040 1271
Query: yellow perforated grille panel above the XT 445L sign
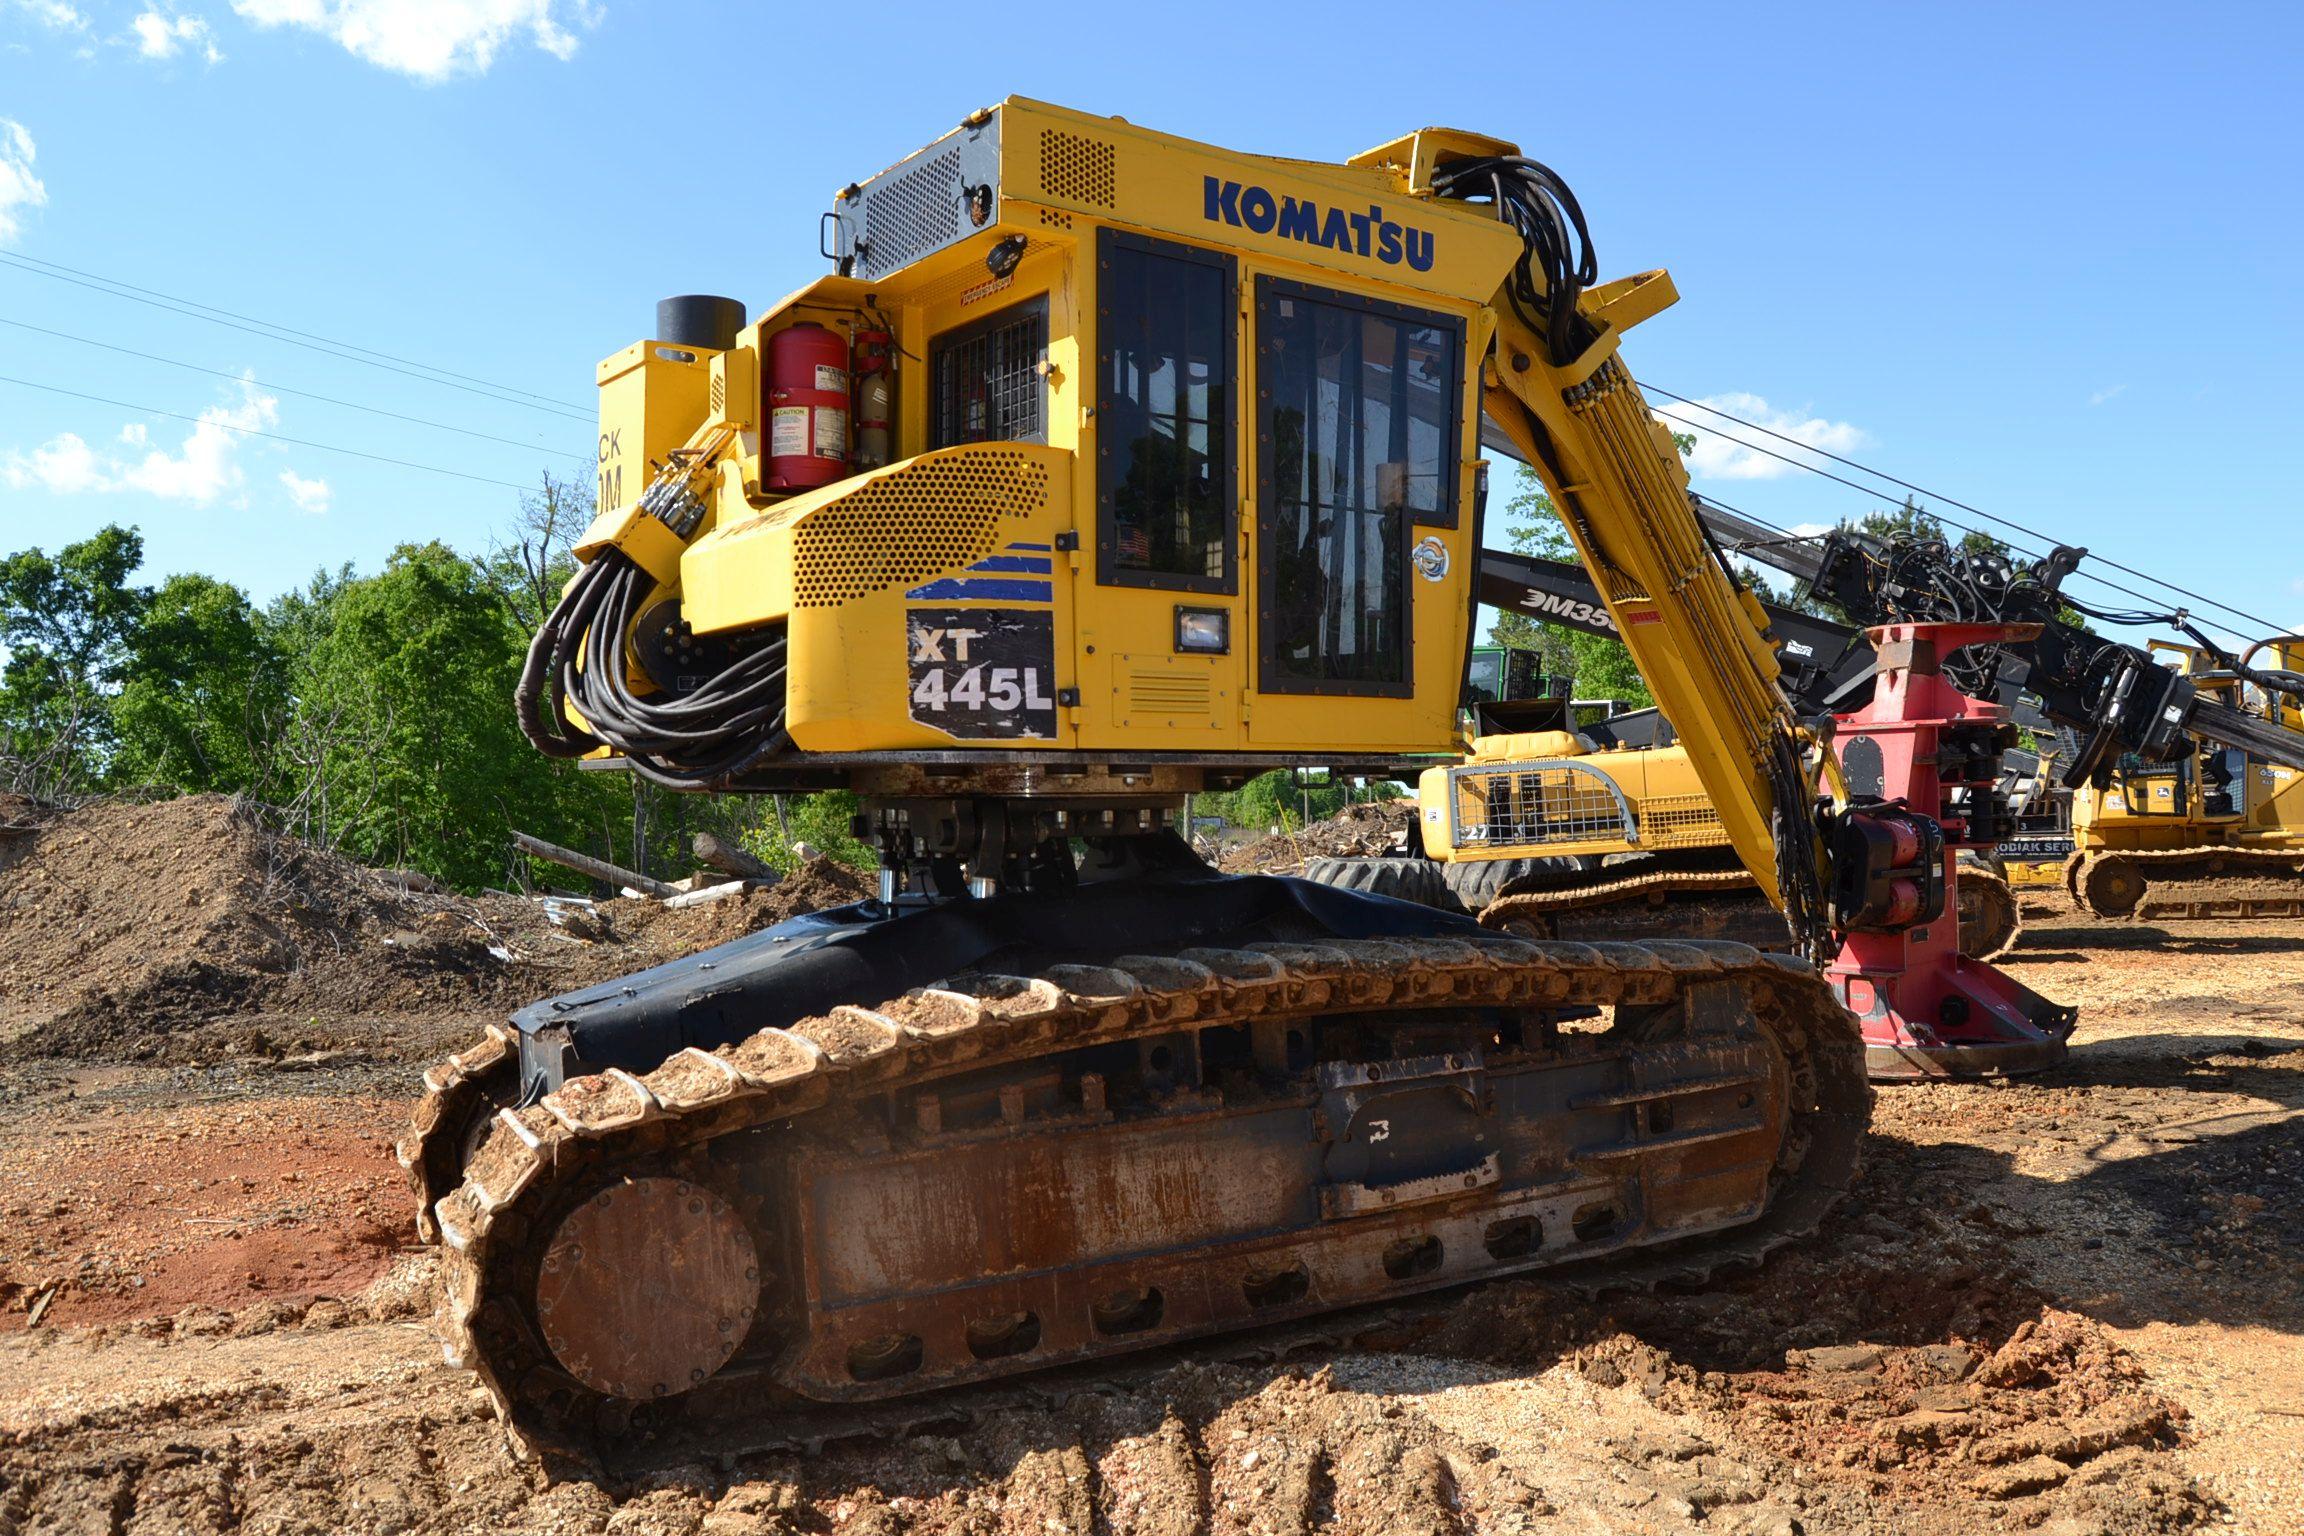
914 524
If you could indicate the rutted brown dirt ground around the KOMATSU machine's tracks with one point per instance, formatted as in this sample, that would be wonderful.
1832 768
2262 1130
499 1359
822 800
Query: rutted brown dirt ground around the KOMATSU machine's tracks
2056 1307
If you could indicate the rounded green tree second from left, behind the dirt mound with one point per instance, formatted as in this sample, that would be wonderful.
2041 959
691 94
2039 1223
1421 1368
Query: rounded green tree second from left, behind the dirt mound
202 692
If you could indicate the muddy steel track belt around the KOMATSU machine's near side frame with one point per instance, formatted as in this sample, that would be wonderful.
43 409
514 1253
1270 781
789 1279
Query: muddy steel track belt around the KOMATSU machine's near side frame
494 1206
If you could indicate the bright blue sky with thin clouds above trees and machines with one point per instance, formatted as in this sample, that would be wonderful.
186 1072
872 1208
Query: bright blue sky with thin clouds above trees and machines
2038 257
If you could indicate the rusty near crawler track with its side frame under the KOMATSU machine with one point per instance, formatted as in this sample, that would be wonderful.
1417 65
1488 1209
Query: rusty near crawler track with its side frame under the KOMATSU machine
1729 1104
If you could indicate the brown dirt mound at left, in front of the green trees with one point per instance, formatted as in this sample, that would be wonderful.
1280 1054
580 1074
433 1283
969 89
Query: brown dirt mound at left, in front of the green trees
126 927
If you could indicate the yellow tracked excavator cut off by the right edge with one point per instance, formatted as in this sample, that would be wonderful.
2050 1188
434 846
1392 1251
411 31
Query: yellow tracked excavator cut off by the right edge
2215 832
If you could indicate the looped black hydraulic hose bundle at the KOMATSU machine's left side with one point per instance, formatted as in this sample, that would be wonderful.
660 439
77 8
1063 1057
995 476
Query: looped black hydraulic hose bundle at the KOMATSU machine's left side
681 740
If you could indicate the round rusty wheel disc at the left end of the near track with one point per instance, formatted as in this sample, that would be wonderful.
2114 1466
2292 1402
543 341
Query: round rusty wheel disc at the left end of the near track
649 1288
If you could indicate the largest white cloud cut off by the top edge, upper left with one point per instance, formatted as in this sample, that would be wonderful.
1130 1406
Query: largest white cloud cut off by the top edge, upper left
430 40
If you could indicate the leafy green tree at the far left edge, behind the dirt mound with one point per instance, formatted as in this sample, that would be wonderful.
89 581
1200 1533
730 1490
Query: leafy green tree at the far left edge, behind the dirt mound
68 628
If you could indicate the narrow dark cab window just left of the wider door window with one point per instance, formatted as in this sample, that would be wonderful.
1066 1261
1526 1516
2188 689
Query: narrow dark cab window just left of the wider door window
1165 411
